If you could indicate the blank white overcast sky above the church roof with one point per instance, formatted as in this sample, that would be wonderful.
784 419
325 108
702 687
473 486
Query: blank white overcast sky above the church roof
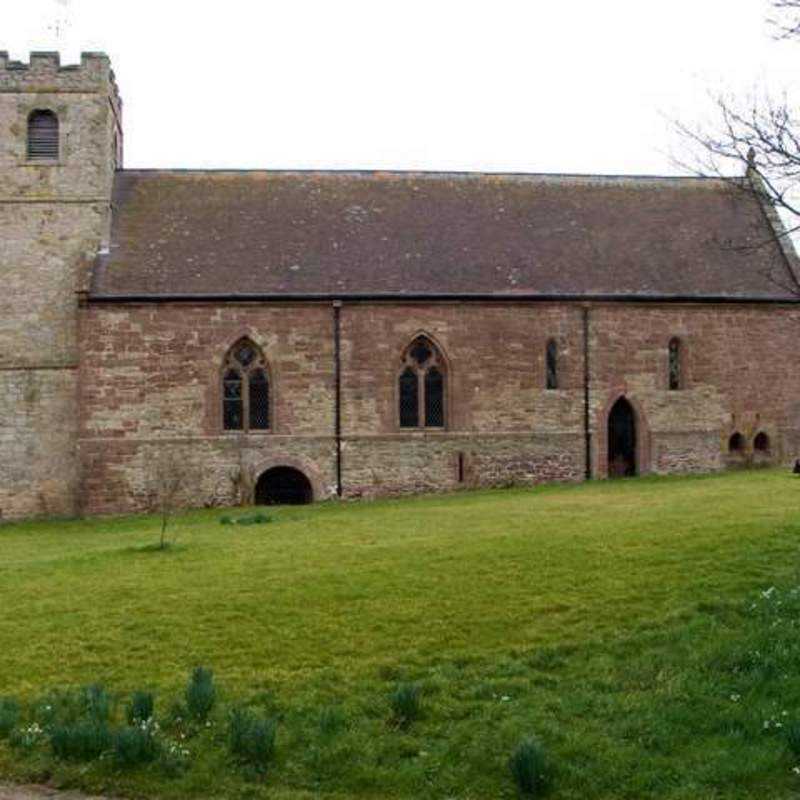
509 85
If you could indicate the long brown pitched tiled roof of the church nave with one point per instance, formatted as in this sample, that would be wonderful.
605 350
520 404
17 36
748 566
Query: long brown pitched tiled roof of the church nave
352 233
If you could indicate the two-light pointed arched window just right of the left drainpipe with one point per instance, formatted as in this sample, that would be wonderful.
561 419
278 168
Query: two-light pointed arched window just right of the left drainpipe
421 386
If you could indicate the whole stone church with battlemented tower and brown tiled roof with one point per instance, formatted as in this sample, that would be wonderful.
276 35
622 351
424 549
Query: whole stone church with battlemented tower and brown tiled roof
295 336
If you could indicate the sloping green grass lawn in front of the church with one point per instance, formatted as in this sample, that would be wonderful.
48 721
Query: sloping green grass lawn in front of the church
626 625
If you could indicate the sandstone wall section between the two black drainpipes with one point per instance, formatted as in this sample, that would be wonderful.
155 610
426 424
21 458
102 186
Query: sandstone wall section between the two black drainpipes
502 422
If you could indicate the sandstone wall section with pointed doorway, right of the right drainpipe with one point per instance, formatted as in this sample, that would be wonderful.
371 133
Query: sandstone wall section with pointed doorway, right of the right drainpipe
739 375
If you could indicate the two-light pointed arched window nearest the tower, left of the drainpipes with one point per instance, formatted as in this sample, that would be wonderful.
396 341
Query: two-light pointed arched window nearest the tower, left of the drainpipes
245 389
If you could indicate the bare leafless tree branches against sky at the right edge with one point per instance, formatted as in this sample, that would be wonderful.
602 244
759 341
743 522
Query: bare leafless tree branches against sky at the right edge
760 138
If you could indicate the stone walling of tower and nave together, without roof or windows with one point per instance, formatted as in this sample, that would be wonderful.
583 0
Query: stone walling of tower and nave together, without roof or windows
92 400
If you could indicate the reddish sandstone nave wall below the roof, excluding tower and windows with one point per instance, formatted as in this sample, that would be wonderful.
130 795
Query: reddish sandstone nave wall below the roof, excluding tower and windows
149 380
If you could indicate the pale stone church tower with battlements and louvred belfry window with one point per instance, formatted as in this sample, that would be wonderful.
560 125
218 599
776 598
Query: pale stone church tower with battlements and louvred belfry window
60 142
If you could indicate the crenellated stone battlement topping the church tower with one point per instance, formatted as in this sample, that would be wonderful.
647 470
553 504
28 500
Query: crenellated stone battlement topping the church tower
44 73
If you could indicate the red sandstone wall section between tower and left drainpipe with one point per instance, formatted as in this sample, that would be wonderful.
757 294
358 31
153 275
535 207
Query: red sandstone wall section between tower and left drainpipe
150 384
